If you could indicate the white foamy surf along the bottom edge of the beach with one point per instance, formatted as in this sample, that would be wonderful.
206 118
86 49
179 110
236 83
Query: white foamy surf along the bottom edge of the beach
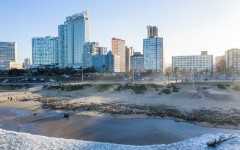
24 141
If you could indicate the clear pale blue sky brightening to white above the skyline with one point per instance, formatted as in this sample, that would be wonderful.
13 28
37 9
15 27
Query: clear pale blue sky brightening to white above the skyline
187 26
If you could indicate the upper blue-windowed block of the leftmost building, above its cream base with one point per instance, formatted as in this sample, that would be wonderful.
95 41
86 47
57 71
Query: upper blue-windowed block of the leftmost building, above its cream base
8 51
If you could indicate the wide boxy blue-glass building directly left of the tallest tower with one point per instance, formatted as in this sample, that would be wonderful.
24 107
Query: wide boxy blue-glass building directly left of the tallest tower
45 51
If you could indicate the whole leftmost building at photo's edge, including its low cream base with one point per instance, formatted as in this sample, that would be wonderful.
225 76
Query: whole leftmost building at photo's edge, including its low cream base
8 56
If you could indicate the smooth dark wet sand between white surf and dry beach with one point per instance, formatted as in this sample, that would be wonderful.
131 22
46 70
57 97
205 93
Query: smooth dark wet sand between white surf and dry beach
121 131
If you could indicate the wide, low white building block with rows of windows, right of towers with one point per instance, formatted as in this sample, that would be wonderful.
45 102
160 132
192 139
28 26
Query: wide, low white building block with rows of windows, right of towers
203 62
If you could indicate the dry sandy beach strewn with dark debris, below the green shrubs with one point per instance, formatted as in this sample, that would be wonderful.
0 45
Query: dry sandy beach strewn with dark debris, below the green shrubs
204 105
